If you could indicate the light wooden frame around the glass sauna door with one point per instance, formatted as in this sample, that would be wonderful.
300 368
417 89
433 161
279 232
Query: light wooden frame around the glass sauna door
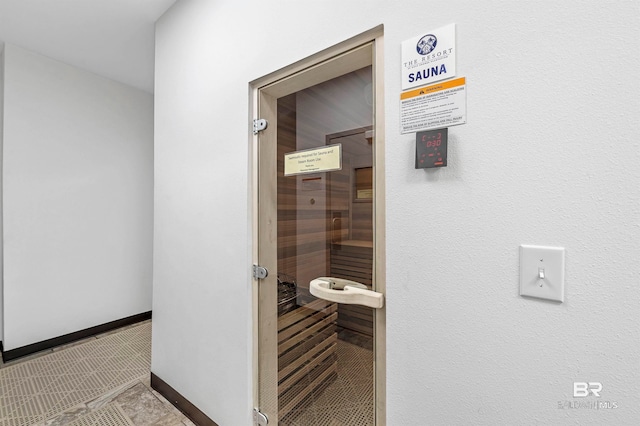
289 80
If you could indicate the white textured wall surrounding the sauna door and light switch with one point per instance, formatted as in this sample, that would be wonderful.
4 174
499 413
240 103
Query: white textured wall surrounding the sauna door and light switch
549 156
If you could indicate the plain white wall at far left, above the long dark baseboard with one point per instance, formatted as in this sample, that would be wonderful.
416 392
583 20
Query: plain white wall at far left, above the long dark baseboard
77 199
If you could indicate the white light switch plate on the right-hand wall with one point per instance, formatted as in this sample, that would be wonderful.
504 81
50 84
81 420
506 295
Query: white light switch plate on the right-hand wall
542 272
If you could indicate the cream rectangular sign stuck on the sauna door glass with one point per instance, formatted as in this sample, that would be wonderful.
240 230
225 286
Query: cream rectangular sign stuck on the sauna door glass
315 160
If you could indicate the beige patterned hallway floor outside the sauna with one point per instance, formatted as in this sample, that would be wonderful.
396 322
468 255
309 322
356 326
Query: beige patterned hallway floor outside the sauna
100 381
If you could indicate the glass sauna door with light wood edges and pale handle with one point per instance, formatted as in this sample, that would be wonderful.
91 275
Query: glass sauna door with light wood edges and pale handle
319 313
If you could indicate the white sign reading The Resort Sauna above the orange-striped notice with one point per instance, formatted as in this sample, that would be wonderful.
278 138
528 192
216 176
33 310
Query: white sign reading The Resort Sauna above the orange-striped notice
429 57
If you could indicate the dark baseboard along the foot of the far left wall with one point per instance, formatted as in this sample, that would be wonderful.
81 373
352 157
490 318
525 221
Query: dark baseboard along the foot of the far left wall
12 354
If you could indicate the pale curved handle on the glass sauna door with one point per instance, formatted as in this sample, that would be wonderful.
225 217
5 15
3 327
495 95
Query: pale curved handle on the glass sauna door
349 292
